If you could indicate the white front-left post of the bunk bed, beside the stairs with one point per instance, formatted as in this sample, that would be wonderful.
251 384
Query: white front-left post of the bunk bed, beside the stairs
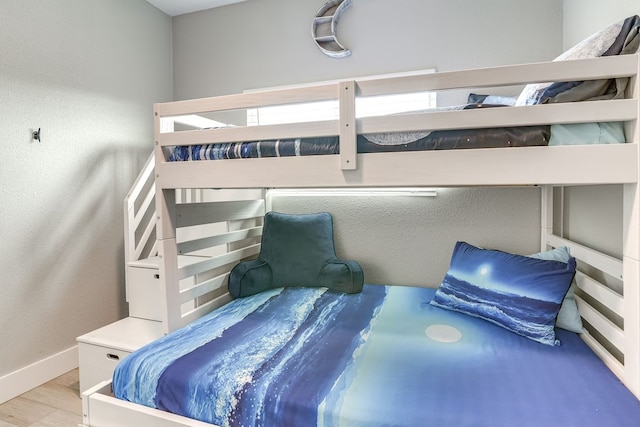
165 234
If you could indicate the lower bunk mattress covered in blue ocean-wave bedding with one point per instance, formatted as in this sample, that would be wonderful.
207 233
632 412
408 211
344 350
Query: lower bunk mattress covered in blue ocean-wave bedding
385 356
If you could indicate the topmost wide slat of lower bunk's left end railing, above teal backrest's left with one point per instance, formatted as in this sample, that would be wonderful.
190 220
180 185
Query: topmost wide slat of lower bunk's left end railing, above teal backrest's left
190 214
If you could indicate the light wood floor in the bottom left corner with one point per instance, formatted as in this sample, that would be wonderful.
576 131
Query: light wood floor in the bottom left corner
54 404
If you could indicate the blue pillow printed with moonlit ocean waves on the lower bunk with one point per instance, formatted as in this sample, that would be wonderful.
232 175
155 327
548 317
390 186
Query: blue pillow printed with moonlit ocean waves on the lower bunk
519 293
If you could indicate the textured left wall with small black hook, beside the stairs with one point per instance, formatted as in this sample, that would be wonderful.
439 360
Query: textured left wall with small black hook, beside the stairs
87 73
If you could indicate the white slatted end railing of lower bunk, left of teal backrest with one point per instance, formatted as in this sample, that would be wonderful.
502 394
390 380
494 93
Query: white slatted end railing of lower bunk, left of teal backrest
221 228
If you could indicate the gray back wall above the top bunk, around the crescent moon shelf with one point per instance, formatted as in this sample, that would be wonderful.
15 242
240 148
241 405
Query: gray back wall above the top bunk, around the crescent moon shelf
256 44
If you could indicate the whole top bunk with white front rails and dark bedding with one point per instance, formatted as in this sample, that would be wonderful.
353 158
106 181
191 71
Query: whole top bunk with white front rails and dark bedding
356 164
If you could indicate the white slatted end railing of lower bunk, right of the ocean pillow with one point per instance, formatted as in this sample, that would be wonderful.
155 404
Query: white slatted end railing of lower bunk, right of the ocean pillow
607 295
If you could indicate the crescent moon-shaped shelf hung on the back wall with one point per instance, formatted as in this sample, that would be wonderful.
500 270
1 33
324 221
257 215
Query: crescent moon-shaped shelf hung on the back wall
324 26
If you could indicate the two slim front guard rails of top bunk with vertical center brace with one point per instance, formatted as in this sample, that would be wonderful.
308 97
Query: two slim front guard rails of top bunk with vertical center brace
348 126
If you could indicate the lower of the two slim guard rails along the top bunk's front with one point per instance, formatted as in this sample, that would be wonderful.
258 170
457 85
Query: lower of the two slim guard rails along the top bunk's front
583 112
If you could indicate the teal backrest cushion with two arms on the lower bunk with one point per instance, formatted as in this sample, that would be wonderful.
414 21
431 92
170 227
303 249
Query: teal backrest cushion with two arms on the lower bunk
297 250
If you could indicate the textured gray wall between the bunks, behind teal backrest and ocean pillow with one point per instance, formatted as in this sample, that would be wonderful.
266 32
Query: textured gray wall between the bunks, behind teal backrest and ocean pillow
409 240
